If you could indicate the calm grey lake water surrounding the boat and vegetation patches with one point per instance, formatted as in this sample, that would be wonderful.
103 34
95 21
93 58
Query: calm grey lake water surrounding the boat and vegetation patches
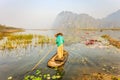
82 59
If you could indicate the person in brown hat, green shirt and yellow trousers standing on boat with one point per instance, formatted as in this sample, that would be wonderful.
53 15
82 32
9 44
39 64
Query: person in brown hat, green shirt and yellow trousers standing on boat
59 43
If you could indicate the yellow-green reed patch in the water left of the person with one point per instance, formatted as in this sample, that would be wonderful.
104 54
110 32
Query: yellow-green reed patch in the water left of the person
23 40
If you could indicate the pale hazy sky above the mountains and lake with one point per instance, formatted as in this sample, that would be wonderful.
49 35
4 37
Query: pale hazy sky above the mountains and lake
42 13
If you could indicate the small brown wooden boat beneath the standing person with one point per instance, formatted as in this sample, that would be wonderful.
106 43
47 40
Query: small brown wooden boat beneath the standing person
55 62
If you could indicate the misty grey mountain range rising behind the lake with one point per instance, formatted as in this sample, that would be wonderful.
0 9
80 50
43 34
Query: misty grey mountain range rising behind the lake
68 19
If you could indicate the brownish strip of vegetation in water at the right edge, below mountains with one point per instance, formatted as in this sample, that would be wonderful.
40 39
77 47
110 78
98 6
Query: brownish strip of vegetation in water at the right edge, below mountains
112 41
